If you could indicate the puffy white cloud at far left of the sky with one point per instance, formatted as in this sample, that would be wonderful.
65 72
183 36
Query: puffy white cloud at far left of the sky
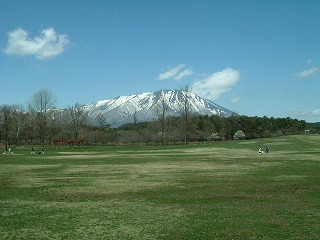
48 44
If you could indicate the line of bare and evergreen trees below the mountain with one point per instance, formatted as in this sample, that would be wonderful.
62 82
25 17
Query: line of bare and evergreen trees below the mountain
39 123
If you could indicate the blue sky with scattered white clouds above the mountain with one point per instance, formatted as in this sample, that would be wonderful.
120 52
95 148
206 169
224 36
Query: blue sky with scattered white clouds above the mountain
257 58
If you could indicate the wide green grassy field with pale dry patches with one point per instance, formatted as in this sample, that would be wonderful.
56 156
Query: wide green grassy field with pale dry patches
215 191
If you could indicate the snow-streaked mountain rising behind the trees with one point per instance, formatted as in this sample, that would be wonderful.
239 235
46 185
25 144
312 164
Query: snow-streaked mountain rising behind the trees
143 107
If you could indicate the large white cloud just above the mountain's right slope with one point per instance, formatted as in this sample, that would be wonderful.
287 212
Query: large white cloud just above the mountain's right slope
217 84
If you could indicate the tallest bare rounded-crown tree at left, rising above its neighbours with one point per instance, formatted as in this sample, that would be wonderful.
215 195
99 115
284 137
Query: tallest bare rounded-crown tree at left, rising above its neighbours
40 105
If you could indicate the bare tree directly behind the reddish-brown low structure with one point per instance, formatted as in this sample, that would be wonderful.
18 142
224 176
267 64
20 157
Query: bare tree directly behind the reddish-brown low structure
78 118
